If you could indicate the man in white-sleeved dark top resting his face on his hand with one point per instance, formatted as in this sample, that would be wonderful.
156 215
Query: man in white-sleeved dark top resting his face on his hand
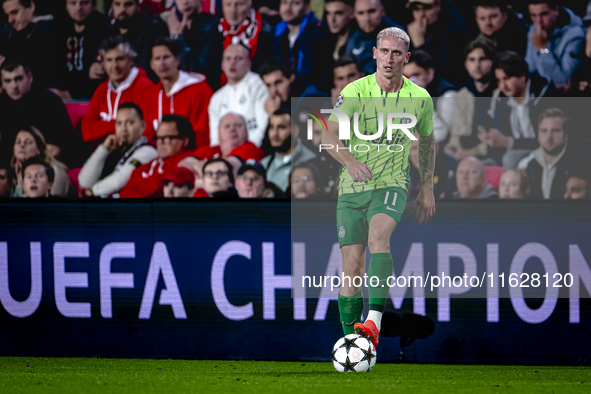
109 168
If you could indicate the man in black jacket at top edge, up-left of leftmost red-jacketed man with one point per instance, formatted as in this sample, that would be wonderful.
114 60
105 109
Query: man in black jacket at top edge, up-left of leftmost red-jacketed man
82 30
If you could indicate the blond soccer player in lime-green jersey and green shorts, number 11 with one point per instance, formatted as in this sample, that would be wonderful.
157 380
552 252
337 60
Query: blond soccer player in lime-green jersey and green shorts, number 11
373 185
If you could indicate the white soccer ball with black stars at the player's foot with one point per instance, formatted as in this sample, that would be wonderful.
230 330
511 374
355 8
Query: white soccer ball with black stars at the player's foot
353 353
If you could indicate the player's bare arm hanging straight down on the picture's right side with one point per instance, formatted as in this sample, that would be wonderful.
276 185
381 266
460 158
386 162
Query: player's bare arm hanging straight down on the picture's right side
426 200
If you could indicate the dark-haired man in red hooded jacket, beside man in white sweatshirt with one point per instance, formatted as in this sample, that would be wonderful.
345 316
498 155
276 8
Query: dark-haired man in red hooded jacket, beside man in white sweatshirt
178 92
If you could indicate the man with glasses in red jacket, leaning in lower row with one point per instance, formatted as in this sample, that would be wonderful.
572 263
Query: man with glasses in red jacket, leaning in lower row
174 141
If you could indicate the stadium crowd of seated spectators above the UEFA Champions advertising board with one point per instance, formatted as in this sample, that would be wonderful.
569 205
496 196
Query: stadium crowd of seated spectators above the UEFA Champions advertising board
192 98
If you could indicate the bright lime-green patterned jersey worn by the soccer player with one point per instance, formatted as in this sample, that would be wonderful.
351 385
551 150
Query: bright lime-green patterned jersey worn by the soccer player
387 159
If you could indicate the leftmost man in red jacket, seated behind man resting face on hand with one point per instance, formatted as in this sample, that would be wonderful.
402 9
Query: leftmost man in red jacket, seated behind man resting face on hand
126 83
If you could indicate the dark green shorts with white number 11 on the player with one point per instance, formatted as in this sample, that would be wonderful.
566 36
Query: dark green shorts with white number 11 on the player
355 210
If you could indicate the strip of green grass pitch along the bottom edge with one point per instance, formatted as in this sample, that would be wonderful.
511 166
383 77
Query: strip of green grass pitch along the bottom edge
96 375
